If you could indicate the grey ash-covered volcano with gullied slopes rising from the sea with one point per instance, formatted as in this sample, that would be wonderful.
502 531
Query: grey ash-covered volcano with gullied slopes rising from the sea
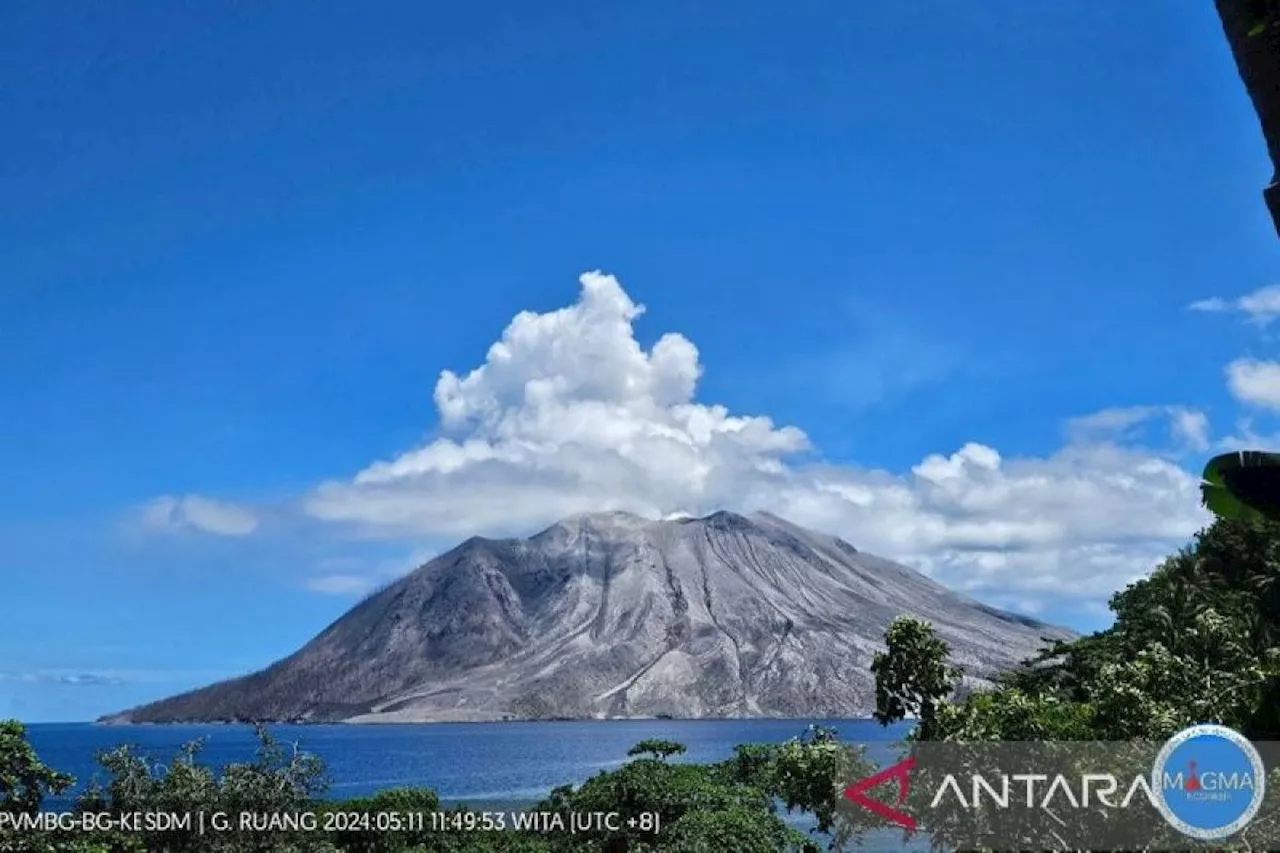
615 615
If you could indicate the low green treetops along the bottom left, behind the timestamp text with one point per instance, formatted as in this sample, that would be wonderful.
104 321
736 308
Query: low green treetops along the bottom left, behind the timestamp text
700 809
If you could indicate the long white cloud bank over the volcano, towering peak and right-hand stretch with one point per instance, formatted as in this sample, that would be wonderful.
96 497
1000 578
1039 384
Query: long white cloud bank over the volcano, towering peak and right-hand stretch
570 414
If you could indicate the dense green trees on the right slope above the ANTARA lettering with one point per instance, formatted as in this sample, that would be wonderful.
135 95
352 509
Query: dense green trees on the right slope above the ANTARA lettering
1196 642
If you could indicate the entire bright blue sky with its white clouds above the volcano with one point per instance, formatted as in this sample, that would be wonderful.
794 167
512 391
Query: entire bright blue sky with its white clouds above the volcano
995 275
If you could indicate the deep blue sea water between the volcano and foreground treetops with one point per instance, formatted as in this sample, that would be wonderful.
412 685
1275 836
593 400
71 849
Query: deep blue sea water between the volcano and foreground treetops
465 763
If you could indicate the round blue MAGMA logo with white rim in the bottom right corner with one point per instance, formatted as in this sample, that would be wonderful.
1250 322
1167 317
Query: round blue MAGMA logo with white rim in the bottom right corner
1209 782
